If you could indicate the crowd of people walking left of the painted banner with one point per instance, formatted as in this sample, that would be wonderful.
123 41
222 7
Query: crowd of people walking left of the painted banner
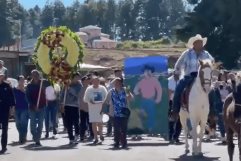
82 104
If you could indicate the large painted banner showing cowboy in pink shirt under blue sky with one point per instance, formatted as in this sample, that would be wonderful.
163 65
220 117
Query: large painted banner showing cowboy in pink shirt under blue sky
146 78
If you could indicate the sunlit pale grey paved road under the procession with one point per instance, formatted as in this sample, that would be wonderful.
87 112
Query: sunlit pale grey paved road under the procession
148 149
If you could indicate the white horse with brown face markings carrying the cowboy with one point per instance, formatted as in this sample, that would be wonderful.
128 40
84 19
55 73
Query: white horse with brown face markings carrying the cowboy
198 110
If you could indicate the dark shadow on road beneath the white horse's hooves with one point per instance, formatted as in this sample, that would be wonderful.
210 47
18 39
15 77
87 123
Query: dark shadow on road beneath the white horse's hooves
192 158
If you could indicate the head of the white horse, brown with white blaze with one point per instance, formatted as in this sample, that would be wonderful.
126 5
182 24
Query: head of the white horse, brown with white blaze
205 74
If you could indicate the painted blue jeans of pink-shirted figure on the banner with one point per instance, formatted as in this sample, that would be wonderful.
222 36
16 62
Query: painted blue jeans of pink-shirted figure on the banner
148 105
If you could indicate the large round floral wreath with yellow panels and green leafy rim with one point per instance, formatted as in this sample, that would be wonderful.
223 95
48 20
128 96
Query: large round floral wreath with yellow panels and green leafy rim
58 53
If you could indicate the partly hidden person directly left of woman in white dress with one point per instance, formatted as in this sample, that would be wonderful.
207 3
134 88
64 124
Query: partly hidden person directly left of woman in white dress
84 111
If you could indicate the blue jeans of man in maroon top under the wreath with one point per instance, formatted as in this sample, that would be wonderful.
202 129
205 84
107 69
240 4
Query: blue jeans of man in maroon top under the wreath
36 123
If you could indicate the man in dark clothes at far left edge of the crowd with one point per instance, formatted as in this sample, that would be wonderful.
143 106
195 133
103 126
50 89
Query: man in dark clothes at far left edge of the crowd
7 101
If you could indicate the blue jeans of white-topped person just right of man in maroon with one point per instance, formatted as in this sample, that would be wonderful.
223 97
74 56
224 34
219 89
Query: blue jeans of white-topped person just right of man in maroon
51 113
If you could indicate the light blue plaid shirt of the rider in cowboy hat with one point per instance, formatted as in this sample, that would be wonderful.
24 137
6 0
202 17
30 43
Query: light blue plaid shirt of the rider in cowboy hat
189 61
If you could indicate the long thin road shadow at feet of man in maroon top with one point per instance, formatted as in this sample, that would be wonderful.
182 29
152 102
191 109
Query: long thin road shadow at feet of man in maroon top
32 147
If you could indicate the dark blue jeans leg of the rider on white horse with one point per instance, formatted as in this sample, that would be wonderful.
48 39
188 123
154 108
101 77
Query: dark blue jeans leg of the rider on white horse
183 83
